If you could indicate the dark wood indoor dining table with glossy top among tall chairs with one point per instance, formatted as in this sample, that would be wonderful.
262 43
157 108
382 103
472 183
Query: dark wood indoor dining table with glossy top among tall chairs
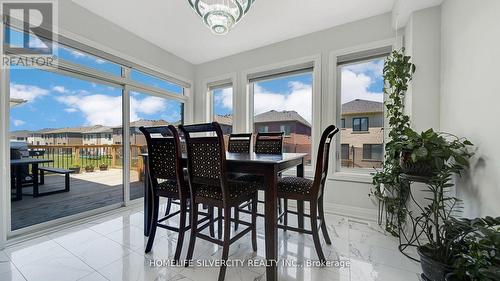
267 166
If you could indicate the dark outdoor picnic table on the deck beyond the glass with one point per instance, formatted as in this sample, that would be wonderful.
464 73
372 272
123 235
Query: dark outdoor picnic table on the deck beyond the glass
17 165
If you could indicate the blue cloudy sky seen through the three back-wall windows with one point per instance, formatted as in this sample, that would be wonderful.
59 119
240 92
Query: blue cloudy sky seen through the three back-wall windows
358 81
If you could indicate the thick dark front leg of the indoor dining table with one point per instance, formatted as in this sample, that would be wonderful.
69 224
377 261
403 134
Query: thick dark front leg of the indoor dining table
271 225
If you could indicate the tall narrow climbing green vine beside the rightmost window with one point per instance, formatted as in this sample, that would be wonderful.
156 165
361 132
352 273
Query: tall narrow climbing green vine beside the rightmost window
398 72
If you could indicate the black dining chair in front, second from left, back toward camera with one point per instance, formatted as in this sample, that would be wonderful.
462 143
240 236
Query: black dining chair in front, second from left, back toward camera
210 186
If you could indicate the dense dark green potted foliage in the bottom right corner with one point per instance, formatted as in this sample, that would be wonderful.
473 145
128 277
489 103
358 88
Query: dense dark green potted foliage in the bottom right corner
475 247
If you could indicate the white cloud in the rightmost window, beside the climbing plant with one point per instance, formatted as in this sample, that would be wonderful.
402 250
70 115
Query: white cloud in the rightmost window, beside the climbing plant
356 86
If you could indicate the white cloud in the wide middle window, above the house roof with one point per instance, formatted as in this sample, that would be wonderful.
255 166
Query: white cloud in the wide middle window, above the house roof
297 98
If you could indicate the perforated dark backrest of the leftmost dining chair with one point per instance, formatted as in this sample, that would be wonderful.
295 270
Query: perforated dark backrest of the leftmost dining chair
164 156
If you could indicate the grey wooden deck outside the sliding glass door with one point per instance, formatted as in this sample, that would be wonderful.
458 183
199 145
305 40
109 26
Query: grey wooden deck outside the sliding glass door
89 191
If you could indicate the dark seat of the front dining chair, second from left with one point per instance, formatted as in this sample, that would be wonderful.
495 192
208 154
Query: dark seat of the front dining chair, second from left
237 189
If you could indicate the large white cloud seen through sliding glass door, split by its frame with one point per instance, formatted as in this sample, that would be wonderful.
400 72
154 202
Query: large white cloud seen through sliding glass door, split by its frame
106 110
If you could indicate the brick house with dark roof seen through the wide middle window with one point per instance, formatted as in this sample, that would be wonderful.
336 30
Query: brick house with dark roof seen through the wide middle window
297 130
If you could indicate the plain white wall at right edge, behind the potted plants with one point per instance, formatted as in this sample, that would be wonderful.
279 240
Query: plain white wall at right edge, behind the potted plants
470 96
